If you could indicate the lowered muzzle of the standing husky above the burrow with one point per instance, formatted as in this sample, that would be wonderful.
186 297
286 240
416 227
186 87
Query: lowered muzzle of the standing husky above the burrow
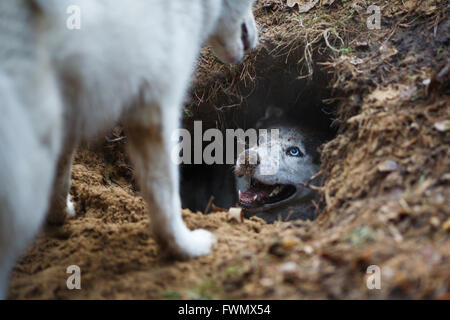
235 31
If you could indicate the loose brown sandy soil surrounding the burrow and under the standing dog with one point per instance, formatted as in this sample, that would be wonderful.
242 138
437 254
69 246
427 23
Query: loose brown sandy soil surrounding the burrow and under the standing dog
386 191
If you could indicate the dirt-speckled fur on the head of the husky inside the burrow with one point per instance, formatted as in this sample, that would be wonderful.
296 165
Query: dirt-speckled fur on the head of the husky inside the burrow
272 156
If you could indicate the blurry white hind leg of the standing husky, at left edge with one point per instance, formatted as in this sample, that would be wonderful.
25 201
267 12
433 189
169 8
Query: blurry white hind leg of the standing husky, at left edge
29 144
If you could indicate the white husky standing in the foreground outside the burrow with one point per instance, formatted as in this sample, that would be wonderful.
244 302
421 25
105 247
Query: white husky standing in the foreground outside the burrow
130 60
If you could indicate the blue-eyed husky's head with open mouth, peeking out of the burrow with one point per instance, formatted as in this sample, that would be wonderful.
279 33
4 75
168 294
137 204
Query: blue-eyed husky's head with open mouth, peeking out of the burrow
279 196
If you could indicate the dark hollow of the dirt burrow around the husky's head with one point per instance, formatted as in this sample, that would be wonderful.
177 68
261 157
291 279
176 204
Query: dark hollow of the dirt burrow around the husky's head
305 100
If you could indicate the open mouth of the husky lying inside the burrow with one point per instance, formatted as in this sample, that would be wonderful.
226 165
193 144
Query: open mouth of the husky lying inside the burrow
261 195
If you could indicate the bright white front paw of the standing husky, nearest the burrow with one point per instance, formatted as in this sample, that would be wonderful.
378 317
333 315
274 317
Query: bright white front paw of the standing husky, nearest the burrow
197 243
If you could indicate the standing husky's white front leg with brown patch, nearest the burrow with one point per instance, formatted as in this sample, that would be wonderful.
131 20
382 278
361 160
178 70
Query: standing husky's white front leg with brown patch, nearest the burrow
150 150
